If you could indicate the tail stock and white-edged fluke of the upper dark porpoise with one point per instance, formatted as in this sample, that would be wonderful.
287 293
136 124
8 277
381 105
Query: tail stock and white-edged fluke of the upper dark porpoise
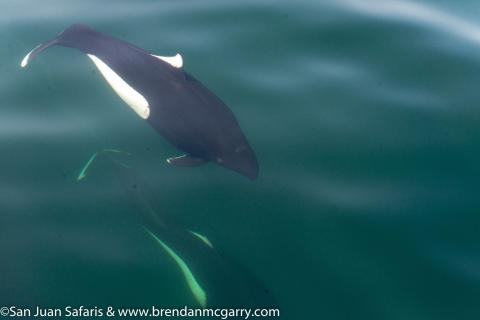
76 36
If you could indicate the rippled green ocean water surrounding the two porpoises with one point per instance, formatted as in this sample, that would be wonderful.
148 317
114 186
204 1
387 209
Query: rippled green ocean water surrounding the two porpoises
365 119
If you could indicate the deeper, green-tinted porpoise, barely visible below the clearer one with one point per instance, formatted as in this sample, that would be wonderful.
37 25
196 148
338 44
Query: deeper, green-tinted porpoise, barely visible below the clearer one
213 277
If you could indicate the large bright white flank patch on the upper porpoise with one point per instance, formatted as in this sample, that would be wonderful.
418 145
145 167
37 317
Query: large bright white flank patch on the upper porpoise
132 97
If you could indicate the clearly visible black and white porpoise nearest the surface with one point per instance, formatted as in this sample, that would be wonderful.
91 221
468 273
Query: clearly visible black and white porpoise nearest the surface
158 89
